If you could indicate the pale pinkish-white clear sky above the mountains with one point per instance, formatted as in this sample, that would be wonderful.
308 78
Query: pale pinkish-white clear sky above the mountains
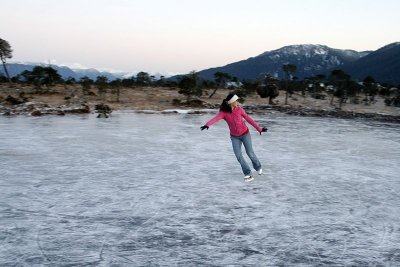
179 36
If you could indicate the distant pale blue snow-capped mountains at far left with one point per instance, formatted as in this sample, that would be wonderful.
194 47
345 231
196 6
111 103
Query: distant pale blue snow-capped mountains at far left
16 68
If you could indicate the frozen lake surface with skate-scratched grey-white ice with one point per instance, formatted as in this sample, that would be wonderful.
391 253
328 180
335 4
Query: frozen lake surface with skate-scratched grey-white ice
154 190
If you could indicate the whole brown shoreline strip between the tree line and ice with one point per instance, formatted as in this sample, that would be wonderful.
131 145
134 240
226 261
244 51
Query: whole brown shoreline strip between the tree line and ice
150 100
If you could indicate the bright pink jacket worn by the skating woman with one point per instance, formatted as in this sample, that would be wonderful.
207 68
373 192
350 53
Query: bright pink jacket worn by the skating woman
235 121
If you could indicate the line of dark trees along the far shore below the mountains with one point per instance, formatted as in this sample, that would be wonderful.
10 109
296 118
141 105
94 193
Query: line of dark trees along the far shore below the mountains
337 86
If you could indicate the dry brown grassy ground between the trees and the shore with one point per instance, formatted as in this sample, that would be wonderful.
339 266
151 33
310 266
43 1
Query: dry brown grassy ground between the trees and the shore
159 98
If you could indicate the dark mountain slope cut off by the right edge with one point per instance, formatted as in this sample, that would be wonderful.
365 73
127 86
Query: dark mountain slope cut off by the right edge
383 65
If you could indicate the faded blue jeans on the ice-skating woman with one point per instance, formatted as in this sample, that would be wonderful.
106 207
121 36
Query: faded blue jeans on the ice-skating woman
237 142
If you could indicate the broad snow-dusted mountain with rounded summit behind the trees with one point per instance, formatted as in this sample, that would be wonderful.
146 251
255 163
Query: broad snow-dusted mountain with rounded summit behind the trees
310 60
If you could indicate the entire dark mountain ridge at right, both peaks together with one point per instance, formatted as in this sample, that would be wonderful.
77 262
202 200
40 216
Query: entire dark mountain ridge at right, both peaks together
312 60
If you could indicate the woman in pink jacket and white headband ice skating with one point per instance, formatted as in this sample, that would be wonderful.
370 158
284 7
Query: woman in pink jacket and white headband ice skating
233 114
